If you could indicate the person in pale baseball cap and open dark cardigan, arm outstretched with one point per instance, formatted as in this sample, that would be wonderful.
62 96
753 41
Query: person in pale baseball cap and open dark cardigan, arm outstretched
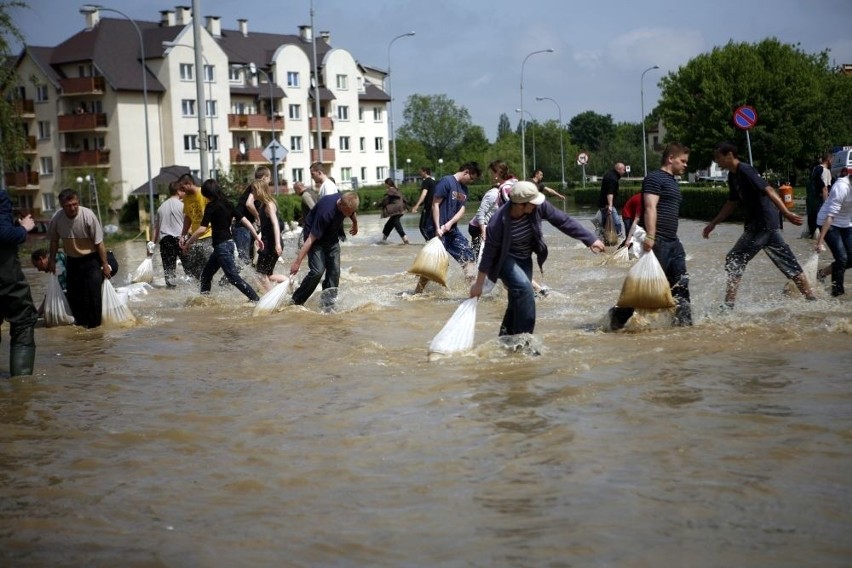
513 235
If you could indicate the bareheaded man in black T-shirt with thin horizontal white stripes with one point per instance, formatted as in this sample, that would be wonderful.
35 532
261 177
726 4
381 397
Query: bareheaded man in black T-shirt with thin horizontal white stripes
661 198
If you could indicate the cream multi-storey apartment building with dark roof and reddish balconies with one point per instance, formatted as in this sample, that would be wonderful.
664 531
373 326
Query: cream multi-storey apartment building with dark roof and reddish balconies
83 106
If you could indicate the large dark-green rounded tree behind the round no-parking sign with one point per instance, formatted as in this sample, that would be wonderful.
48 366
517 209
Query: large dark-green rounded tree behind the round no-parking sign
788 88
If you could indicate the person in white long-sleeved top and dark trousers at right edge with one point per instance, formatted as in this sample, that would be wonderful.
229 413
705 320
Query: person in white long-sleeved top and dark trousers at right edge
835 221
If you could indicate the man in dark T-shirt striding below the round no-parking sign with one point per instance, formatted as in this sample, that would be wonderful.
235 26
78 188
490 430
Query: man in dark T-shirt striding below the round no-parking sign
762 224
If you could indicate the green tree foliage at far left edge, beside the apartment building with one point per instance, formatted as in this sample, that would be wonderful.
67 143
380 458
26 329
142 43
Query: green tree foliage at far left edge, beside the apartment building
12 135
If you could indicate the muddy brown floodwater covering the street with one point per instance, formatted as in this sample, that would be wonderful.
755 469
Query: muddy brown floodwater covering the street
203 436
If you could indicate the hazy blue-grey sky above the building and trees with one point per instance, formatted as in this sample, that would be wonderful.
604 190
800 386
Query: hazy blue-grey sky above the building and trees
473 50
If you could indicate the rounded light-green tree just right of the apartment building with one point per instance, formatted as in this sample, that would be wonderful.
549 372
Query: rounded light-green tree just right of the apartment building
437 123
